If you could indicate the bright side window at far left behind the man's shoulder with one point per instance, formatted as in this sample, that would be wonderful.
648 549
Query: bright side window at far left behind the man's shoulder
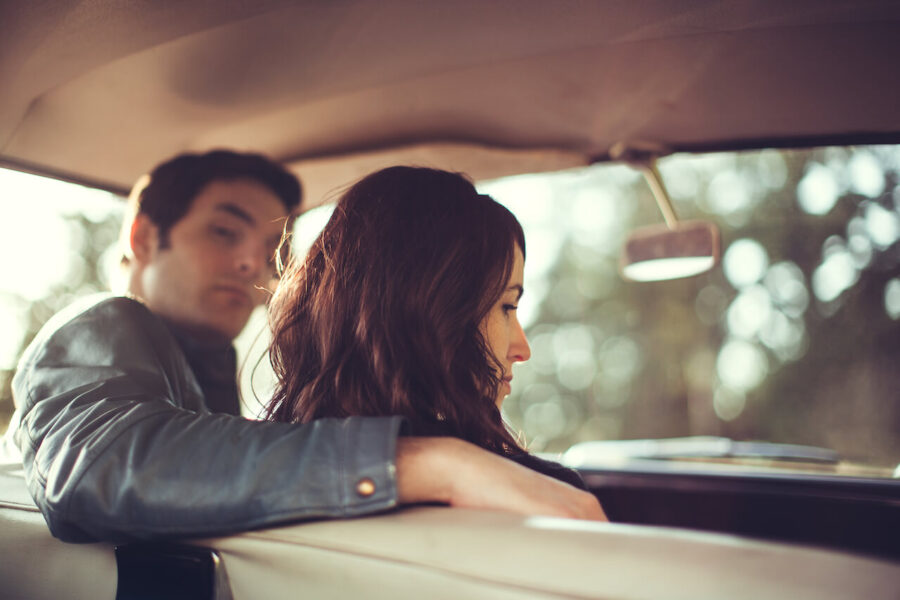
58 242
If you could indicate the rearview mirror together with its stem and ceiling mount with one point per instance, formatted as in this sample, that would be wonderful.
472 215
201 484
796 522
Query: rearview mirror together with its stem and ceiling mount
677 249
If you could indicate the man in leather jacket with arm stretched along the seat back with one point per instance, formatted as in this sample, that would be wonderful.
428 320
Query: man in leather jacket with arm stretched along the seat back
127 407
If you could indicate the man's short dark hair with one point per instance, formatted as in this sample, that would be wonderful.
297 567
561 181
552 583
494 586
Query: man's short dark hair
171 187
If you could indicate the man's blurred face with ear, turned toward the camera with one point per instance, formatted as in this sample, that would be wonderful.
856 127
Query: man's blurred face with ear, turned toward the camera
218 261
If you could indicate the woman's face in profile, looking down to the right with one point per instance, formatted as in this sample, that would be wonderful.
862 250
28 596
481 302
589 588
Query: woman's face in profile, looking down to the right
503 332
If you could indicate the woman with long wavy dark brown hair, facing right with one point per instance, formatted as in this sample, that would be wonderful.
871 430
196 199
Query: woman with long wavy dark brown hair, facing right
406 305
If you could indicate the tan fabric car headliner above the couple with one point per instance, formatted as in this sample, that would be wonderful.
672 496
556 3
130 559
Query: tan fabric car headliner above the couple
97 91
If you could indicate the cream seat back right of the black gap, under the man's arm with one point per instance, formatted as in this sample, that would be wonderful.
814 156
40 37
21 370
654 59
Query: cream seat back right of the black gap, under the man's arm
457 553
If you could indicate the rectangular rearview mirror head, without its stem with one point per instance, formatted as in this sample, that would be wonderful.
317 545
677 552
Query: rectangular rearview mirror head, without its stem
661 252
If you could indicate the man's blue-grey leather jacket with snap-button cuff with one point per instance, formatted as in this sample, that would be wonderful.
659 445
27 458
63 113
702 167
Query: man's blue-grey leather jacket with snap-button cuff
118 443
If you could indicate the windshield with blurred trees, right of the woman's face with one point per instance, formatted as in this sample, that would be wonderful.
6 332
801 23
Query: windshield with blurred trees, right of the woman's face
794 339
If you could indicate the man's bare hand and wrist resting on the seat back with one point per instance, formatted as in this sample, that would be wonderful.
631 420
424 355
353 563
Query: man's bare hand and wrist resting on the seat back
460 474
